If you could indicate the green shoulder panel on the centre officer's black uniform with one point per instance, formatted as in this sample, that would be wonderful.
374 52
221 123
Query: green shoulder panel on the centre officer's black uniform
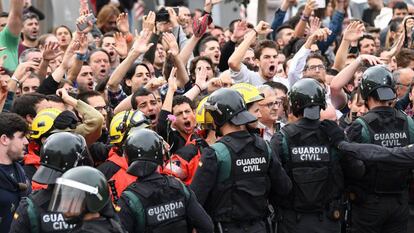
223 159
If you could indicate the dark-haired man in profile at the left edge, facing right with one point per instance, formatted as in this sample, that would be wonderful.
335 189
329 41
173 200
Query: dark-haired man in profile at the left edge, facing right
13 180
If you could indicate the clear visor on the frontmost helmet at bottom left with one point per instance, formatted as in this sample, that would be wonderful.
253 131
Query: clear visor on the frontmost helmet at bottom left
69 197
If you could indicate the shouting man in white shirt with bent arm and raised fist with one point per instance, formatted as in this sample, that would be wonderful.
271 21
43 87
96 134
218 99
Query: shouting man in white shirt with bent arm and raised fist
265 52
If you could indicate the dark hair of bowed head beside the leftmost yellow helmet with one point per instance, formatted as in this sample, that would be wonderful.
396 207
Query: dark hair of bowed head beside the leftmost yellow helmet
25 104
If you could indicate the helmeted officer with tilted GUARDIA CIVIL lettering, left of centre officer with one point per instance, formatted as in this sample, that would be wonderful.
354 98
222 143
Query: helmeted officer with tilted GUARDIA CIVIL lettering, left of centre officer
156 202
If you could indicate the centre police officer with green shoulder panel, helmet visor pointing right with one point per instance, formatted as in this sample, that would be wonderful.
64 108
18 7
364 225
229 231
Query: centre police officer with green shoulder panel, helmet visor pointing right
238 174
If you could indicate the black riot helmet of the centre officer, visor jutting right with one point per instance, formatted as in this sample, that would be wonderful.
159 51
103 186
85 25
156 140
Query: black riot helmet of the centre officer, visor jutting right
227 105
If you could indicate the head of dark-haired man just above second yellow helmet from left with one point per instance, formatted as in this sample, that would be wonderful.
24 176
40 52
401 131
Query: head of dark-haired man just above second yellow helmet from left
146 102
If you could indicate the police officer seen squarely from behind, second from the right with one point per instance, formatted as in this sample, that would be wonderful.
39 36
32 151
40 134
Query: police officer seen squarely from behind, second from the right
314 205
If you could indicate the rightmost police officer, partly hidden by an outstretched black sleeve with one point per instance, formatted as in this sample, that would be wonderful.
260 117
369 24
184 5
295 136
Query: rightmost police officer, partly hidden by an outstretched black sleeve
380 196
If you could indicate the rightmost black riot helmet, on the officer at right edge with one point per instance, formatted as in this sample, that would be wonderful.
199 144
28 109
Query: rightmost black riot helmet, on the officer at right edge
377 81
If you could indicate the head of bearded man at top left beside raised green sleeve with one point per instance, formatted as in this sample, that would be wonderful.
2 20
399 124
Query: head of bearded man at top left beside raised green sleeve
30 32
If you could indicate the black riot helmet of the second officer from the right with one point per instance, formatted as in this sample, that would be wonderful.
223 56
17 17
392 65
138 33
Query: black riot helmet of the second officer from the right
307 95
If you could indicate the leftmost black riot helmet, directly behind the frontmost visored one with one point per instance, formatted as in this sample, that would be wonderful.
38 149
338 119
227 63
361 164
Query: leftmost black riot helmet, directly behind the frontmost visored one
59 153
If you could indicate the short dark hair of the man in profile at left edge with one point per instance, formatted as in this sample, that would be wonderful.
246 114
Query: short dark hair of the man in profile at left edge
11 123
